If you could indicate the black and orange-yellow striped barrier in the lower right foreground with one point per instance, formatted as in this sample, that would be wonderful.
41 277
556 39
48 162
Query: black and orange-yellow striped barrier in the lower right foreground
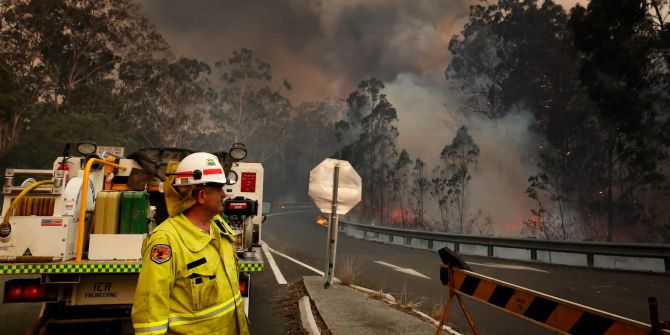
556 314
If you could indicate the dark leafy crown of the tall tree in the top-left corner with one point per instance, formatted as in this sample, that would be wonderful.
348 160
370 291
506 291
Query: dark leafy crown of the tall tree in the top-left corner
52 47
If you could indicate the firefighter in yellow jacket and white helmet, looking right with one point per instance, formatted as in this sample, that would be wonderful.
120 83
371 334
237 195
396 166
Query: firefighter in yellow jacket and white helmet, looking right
189 278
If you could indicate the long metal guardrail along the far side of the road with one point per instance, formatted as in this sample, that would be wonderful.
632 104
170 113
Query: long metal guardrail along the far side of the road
623 256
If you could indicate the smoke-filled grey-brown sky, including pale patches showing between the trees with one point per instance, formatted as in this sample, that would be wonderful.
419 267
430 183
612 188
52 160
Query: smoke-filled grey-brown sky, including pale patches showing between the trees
325 47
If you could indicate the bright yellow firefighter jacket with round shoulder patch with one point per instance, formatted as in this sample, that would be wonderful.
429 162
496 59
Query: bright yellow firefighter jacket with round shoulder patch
189 281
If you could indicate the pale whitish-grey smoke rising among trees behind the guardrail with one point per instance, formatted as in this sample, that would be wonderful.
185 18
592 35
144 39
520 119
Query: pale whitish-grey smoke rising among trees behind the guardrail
429 120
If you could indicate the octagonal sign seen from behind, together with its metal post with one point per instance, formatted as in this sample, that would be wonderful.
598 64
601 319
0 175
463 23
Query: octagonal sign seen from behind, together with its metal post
335 188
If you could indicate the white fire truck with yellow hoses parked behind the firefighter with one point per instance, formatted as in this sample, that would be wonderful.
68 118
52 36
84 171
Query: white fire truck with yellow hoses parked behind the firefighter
77 229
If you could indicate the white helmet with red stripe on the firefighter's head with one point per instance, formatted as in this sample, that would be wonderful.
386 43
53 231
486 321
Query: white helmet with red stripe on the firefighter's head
199 168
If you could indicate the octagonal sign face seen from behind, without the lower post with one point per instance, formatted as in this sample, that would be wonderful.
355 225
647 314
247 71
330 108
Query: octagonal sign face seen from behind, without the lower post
321 180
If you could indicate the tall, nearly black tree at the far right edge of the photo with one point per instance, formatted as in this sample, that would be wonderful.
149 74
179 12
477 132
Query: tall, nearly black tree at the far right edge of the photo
622 65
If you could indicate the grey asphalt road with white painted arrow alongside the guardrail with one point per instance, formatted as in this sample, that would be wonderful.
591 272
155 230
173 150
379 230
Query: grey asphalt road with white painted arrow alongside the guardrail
295 234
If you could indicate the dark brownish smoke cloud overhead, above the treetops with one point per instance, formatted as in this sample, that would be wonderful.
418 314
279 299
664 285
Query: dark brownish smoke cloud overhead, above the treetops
322 47
